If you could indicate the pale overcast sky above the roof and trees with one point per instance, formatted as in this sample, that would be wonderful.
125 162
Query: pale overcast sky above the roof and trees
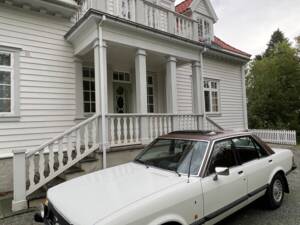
248 24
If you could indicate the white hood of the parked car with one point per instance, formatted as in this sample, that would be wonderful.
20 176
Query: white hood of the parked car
93 197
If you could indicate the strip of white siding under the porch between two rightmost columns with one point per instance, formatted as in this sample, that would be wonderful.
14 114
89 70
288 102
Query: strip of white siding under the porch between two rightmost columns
184 89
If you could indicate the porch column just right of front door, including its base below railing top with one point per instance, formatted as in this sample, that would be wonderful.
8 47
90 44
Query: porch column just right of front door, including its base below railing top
141 93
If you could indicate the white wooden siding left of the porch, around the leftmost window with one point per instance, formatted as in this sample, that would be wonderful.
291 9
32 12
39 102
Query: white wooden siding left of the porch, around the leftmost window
47 78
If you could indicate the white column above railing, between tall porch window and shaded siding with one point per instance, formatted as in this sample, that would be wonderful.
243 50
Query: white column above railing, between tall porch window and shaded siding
171 90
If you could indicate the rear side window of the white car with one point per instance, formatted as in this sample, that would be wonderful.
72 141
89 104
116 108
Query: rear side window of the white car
248 149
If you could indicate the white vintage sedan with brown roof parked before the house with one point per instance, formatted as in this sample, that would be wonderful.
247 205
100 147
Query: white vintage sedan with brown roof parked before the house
182 178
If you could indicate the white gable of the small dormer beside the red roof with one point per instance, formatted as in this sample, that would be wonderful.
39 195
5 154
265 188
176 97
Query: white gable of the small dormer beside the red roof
204 7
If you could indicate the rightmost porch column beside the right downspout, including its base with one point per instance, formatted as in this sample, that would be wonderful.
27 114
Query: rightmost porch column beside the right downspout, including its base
197 79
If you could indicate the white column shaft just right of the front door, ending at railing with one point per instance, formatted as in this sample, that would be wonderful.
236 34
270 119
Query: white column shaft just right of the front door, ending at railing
141 81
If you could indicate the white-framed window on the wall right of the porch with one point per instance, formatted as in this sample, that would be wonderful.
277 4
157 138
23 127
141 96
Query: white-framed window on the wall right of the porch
211 95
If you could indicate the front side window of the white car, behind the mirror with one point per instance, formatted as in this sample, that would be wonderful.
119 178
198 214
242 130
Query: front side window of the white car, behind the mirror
222 156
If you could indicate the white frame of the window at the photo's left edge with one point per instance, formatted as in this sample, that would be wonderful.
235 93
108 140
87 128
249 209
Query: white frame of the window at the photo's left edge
14 114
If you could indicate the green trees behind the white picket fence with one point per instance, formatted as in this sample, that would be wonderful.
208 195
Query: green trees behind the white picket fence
273 87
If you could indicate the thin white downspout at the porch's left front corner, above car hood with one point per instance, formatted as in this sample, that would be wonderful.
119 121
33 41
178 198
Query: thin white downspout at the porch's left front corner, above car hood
103 109
